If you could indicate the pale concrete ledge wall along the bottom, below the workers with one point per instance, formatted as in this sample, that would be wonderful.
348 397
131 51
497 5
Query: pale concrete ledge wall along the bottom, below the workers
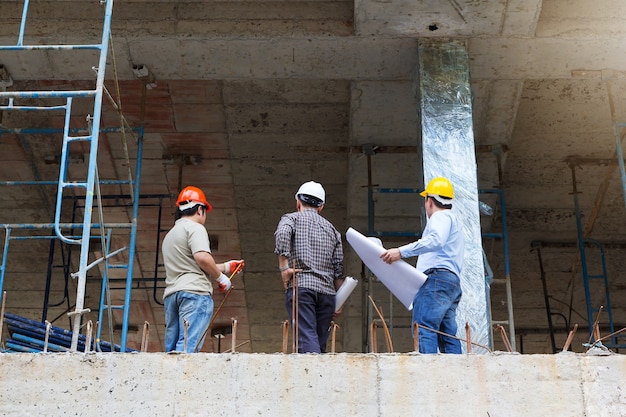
155 384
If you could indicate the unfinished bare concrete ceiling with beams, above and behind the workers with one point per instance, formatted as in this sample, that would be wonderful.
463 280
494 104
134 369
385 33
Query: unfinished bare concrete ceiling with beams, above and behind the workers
252 98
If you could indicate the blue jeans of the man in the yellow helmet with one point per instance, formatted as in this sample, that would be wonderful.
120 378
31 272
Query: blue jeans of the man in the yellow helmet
435 307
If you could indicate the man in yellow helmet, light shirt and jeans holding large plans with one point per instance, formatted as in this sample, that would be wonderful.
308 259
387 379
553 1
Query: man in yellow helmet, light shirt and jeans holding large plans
440 253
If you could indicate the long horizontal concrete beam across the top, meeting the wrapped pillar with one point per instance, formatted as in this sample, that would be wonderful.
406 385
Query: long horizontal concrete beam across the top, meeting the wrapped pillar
350 58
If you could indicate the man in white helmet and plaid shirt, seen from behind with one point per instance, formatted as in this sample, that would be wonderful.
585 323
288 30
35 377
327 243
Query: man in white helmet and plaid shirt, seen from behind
312 243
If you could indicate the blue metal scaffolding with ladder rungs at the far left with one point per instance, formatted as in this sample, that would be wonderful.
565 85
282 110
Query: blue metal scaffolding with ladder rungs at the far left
89 185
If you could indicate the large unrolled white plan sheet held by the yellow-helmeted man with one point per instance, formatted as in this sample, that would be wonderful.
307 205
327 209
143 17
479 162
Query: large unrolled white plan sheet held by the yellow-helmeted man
402 279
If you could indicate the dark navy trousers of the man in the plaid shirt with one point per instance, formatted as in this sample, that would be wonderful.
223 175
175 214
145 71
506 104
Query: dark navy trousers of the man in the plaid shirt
315 312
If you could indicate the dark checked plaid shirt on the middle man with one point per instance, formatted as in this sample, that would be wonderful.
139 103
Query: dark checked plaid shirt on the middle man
315 245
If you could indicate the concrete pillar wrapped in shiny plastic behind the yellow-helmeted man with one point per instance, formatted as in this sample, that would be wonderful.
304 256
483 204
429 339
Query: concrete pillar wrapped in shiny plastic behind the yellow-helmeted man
445 112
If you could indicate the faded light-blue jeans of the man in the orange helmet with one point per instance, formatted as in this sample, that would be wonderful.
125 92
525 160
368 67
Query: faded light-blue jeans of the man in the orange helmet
196 309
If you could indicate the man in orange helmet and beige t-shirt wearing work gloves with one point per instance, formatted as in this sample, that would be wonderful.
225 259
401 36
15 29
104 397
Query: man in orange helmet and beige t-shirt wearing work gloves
189 266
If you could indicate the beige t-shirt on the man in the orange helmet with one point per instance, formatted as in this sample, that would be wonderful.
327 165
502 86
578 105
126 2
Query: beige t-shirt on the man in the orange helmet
182 272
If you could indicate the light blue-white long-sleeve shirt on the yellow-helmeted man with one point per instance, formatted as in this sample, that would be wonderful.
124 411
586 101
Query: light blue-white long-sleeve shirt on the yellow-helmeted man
441 246
